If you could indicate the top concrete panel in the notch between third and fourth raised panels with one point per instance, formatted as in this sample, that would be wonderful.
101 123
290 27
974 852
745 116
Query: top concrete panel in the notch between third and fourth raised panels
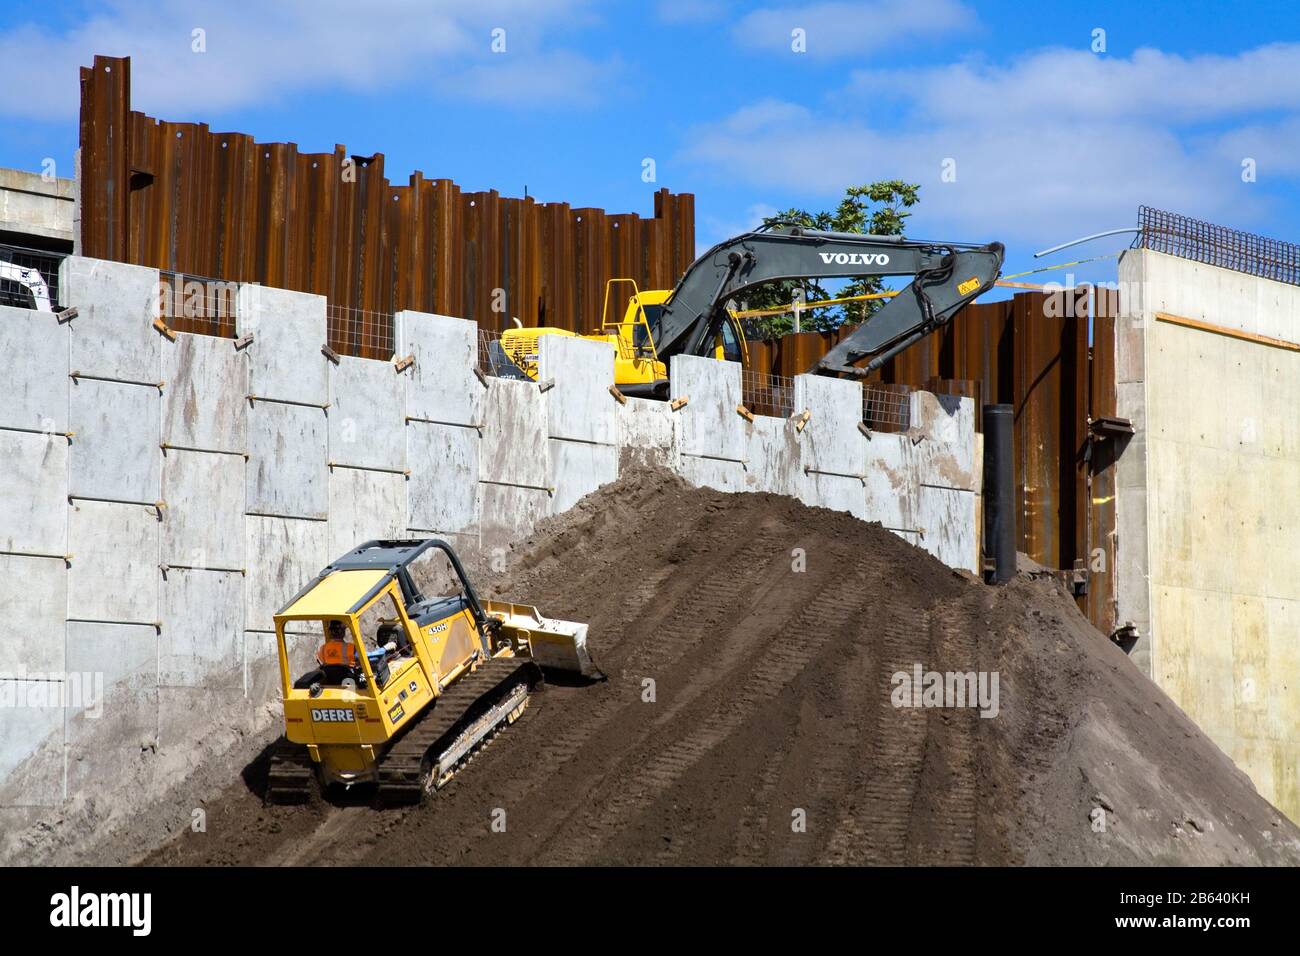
514 444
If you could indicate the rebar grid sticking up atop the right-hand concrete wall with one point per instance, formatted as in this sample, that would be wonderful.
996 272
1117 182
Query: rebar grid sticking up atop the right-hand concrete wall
1229 249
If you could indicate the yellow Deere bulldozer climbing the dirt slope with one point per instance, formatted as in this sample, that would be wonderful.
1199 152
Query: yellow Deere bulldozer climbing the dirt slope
404 689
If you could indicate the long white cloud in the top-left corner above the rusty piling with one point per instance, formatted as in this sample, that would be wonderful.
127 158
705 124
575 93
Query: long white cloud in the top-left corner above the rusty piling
261 51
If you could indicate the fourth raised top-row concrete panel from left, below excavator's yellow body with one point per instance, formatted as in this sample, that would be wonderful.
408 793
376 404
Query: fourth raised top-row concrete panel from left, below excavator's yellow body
580 405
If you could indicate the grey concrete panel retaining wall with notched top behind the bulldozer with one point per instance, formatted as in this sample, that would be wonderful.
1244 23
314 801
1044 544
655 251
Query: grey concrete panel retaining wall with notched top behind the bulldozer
162 499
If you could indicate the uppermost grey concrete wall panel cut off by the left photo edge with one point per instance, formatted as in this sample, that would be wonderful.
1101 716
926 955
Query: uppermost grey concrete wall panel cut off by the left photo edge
37 377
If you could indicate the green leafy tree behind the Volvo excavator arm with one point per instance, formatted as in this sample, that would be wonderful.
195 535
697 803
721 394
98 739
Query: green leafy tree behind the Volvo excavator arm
879 210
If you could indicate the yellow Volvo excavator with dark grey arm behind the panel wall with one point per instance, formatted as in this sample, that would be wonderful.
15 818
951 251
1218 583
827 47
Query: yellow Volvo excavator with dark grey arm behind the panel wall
694 319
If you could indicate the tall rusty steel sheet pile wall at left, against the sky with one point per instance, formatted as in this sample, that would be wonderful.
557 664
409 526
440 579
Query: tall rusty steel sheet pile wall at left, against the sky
180 198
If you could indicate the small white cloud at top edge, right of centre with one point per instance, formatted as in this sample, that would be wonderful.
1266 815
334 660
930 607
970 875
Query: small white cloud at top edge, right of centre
851 29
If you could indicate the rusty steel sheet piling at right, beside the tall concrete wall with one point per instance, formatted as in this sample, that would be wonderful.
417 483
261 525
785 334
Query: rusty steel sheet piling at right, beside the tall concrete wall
1032 352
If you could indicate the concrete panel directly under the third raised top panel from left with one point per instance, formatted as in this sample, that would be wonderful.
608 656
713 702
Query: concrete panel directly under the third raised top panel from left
443 494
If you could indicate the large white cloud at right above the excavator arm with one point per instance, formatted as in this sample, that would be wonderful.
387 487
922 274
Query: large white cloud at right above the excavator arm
1046 149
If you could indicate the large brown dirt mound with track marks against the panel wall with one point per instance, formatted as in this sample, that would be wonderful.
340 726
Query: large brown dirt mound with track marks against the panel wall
773 634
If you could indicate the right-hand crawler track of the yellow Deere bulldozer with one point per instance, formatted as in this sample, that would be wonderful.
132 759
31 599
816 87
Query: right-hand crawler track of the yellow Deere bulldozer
405 769
